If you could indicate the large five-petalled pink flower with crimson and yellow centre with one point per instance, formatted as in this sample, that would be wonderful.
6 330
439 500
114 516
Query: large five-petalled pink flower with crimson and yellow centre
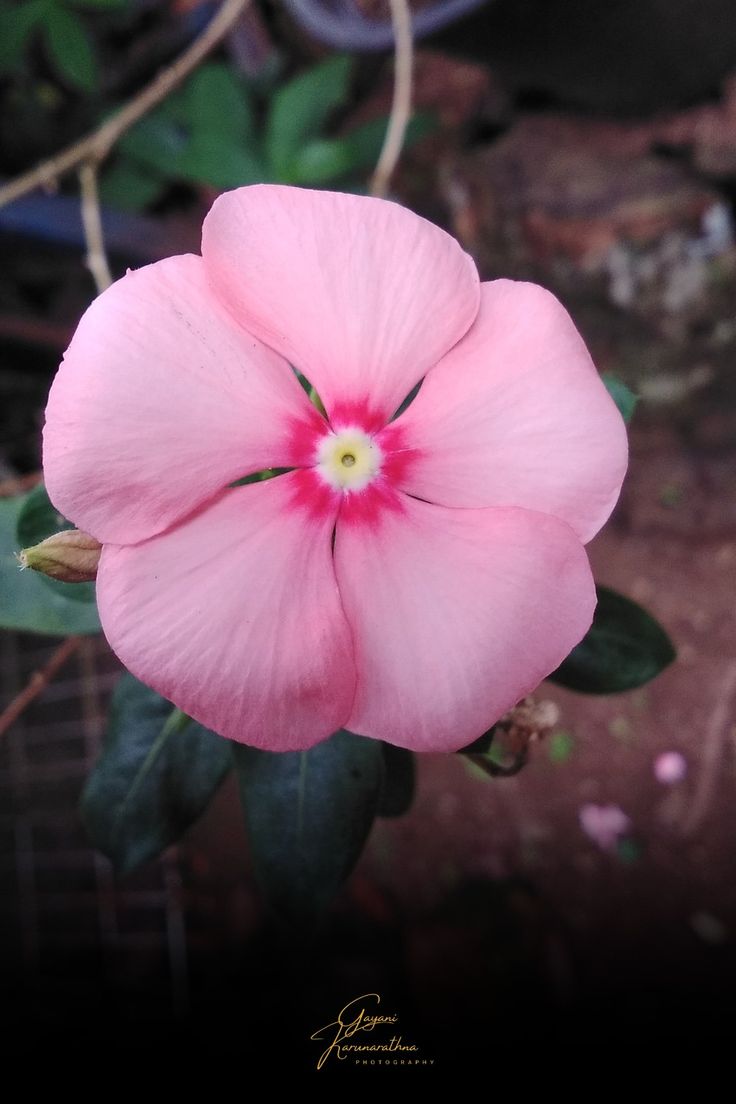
410 580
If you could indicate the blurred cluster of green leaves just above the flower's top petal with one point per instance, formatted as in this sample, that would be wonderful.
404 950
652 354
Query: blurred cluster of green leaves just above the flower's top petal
209 133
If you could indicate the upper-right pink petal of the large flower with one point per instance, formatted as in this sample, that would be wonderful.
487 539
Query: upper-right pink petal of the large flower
517 416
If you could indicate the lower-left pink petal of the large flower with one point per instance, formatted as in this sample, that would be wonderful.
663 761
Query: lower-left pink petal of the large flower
234 615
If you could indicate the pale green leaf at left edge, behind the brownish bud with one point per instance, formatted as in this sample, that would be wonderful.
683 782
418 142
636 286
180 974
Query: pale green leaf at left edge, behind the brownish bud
27 601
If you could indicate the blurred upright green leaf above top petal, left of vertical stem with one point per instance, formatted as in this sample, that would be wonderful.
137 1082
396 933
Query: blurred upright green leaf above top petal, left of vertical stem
301 110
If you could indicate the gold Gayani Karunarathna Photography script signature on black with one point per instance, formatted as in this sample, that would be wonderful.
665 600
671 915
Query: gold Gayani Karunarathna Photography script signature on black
364 1036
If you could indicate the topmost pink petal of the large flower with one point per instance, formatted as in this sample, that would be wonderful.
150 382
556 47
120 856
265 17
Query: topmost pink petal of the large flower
359 294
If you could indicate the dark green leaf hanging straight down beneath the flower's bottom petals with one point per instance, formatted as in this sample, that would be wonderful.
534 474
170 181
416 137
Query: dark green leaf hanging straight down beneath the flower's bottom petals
308 816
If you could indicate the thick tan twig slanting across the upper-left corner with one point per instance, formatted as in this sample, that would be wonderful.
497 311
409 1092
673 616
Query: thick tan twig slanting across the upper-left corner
95 147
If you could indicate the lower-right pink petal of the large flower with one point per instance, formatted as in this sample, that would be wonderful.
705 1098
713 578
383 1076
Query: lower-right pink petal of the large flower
456 617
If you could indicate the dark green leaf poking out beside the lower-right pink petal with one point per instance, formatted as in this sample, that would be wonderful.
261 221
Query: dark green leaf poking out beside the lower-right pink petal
625 649
